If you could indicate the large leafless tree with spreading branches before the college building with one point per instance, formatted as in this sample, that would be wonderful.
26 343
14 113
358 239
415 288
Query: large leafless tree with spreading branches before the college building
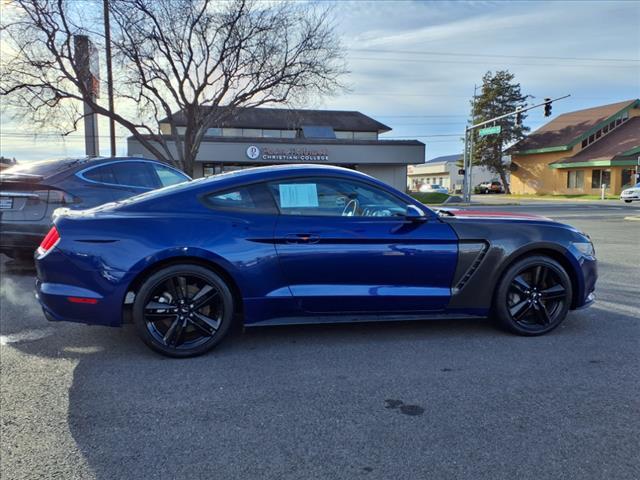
174 61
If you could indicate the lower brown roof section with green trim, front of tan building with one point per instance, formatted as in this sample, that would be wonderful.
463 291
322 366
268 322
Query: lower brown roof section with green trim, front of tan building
623 144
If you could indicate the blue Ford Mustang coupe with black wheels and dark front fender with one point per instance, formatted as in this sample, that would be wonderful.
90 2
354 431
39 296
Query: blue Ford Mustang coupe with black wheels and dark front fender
301 244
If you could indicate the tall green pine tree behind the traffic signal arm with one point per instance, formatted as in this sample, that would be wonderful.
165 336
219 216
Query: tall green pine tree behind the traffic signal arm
499 95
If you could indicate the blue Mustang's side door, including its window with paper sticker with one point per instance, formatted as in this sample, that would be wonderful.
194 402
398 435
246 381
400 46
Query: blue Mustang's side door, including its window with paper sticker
347 246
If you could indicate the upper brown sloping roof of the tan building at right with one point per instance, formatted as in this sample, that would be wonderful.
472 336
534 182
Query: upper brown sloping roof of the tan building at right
567 129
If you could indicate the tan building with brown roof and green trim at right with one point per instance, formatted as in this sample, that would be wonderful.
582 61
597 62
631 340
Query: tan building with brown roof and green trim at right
578 152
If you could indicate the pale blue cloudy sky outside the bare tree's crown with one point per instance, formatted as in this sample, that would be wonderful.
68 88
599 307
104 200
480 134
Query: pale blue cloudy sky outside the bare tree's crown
413 66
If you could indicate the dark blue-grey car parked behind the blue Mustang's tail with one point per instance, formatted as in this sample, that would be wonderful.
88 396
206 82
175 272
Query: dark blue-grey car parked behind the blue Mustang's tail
30 192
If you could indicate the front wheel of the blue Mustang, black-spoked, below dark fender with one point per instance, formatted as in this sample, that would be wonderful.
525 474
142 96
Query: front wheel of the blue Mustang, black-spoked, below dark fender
533 296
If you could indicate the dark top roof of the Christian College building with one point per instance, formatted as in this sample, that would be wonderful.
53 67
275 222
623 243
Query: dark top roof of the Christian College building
290 119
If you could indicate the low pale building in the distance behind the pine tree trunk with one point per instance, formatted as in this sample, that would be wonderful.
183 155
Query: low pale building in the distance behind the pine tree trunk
444 171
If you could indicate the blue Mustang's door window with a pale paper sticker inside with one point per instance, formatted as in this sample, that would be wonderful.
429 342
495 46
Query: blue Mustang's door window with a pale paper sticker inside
334 197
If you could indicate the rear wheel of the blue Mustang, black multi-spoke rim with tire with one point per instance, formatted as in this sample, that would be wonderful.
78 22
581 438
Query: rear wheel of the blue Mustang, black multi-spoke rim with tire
183 310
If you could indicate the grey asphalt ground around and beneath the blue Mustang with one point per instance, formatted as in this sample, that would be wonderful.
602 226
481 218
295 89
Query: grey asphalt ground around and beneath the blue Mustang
417 400
